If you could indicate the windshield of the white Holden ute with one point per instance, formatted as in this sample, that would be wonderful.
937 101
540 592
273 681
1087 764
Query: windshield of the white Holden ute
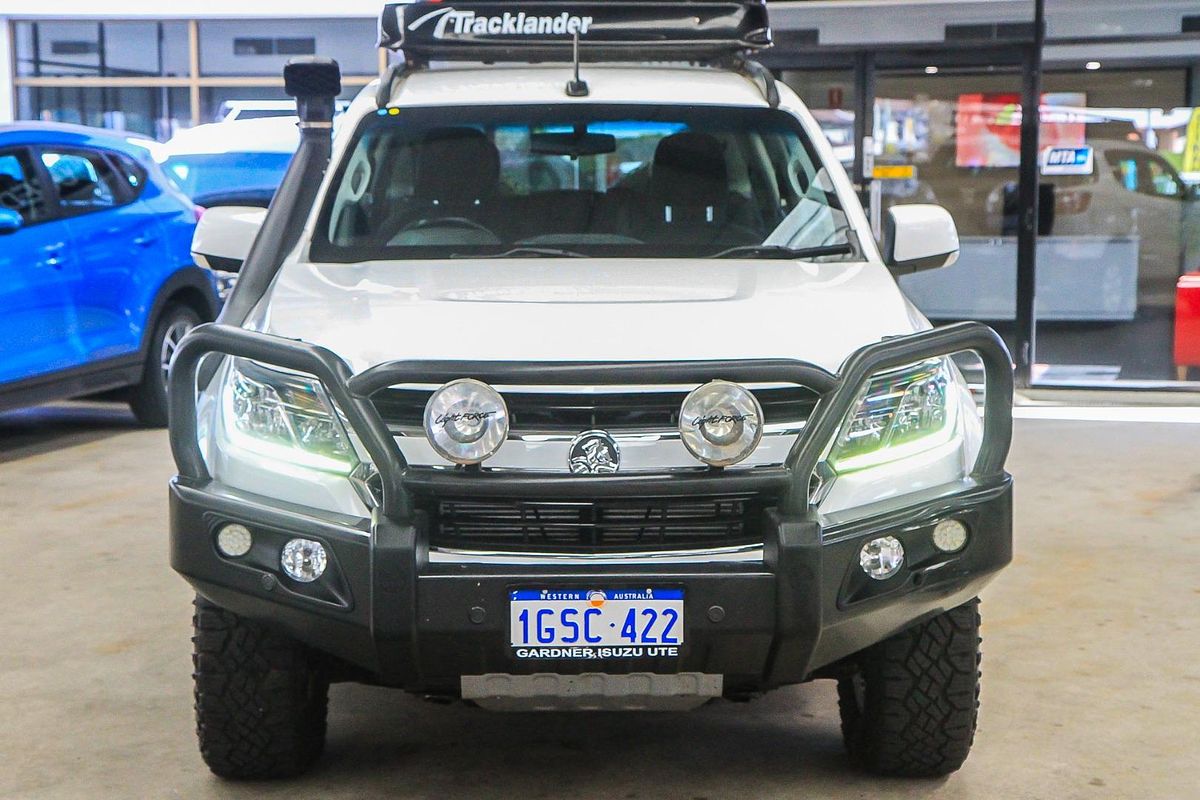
662 182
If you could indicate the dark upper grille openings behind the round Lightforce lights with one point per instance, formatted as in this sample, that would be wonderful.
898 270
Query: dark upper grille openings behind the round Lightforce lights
575 412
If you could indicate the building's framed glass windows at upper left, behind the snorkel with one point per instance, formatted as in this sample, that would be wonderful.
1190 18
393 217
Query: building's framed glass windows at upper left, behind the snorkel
139 76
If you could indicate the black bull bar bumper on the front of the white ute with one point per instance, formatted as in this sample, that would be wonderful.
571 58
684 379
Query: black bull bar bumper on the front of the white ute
406 619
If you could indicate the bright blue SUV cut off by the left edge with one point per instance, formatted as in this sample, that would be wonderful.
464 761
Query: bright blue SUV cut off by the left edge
98 284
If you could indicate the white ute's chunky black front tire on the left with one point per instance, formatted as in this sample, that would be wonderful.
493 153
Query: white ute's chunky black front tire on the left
261 700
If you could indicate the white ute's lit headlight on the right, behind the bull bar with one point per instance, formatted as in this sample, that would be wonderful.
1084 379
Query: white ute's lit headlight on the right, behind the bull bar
899 414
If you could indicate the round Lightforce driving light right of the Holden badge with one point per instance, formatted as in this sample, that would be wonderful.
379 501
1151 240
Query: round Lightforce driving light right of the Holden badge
721 423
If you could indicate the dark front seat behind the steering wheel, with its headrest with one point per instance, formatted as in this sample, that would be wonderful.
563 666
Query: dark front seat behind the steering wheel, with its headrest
458 176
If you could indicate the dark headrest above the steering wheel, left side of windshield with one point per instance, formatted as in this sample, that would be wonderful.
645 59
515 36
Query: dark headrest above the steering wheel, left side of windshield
457 166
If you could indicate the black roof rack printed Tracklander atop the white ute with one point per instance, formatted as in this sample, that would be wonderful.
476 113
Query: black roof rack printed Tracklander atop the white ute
544 31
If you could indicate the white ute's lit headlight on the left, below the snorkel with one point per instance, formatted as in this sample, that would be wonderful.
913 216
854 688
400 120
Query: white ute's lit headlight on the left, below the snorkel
285 417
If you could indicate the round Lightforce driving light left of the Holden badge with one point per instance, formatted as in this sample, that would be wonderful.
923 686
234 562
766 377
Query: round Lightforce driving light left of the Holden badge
466 422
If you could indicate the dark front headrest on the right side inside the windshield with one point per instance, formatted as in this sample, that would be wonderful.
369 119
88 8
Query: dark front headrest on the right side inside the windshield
689 170
